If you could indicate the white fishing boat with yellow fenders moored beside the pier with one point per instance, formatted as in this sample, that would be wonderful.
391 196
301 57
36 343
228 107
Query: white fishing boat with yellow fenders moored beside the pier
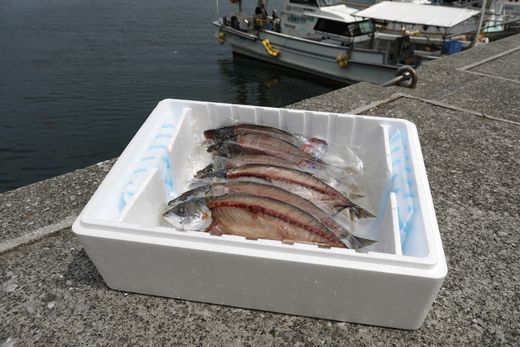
324 38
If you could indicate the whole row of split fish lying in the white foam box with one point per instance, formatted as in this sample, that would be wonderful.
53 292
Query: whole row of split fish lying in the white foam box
266 183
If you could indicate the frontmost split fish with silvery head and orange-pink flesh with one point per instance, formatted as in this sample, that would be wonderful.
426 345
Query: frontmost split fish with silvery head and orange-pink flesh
251 216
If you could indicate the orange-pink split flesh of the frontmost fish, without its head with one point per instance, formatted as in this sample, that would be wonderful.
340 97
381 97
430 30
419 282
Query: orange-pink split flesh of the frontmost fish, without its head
265 218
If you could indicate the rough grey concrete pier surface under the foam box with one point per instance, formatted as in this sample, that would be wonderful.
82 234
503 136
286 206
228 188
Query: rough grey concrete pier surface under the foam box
467 111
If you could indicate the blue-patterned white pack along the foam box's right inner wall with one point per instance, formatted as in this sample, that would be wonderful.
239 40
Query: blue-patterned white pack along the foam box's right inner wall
401 184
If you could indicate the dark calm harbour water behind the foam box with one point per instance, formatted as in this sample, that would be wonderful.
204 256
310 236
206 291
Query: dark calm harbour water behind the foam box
78 77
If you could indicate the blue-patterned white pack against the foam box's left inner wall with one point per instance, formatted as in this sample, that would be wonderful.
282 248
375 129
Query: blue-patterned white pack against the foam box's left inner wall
155 157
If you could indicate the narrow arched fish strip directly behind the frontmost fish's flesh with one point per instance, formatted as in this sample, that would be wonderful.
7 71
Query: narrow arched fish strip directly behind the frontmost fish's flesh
274 192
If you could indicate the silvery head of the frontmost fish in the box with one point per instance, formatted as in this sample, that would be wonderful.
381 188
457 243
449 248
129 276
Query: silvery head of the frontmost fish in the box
192 214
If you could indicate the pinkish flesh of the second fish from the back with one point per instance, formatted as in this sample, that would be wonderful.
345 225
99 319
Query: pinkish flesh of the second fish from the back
261 144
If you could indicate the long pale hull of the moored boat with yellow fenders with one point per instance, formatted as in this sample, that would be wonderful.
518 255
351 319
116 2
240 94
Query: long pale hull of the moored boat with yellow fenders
312 57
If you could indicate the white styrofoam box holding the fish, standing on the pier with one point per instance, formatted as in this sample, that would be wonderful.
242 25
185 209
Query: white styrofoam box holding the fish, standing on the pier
392 284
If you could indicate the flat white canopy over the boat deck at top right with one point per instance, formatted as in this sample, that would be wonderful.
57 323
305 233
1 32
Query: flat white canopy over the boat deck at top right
410 13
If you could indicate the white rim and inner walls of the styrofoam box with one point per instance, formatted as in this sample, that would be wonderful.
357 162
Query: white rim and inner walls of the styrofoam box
165 153
